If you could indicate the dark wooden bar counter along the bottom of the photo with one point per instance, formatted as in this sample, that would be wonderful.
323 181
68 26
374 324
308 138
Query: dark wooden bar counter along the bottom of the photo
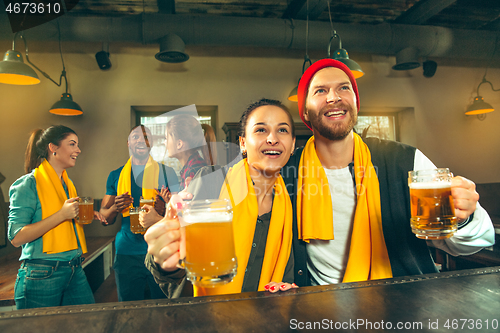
459 301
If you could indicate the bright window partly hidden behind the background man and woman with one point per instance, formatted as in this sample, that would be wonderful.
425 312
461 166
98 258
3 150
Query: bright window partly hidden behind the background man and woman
156 117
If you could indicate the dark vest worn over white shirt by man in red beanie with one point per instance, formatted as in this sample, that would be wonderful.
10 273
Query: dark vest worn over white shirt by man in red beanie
392 160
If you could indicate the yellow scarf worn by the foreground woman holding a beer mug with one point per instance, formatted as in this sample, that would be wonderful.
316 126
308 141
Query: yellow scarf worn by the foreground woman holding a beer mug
245 214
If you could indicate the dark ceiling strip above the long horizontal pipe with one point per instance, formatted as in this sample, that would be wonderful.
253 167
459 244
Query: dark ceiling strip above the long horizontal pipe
455 14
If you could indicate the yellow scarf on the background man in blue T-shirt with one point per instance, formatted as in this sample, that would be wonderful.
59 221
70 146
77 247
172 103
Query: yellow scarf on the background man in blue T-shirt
149 181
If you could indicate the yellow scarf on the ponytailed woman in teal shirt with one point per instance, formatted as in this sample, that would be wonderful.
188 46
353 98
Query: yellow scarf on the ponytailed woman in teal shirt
52 196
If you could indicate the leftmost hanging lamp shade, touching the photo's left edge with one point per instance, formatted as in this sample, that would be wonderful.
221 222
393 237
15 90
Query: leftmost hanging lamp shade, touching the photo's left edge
13 70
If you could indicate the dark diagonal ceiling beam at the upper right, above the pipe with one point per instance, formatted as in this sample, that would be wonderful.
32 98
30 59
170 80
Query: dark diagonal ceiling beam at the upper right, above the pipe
423 10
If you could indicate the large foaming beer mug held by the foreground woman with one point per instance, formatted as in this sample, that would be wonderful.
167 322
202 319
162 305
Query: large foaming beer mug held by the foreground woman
210 257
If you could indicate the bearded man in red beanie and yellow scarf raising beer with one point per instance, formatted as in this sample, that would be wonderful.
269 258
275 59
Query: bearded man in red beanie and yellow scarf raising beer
351 197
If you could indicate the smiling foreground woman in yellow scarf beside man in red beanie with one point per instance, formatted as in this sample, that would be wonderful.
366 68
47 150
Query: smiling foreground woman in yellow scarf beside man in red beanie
262 220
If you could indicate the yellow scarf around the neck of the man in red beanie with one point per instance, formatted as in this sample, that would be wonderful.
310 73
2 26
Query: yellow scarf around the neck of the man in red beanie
368 258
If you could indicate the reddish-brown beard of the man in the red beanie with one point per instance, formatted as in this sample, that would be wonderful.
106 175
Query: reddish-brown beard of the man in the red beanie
333 132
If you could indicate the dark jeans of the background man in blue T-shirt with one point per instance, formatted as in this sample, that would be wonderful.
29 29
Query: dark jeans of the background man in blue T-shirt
132 277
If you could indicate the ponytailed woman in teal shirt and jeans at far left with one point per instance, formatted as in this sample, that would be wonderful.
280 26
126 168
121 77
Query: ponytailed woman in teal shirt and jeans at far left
43 206
